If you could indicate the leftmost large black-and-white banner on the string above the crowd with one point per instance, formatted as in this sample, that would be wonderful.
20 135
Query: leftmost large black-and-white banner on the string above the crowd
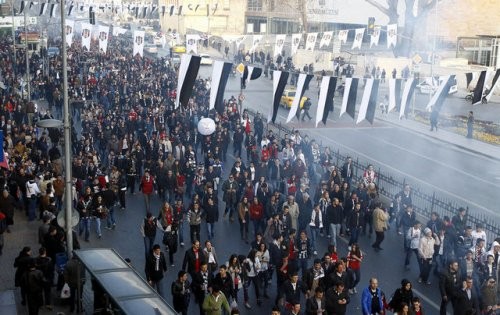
188 71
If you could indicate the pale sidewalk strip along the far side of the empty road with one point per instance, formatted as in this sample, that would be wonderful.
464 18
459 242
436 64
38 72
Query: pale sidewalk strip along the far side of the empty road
457 140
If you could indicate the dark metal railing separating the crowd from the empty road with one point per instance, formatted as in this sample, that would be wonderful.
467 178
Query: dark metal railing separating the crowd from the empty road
425 201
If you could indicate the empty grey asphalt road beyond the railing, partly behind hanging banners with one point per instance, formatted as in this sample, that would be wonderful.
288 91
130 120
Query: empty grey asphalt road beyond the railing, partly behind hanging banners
429 164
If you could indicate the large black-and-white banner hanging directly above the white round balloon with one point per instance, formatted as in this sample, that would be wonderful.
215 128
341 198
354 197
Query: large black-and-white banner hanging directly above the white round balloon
220 75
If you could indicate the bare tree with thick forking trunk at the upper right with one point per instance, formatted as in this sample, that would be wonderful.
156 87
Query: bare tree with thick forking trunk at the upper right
413 20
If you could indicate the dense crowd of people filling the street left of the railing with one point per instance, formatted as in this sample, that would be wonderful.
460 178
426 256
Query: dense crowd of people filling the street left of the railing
287 194
